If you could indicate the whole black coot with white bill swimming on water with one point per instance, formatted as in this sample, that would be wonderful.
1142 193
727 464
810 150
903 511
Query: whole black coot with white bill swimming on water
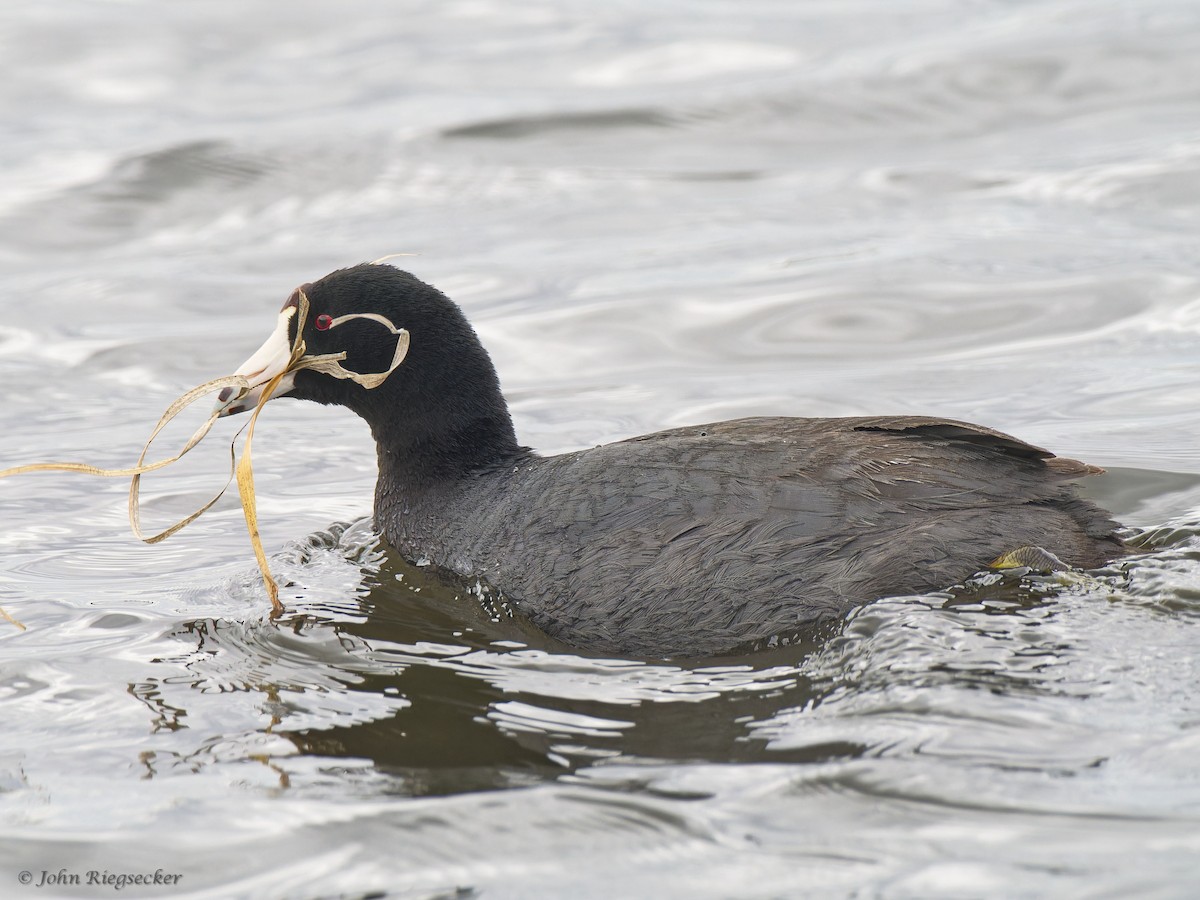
686 543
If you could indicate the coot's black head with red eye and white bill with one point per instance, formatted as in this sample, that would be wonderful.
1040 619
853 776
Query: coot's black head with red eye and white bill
442 406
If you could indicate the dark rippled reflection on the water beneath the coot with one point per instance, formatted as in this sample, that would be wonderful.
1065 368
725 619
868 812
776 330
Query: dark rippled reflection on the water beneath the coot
431 686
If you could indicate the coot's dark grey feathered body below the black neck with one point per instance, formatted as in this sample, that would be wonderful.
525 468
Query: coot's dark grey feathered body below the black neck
743 530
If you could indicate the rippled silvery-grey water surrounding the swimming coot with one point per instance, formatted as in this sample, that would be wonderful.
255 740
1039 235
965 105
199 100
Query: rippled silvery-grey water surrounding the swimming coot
656 215
